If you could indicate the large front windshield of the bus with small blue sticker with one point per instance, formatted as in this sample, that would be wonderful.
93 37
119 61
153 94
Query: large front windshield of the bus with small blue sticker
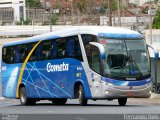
126 59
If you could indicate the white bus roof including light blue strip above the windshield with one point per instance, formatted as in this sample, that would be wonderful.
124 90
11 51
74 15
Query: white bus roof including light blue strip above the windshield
100 31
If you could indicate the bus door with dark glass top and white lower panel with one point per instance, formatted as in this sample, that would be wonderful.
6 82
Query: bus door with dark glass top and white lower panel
95 70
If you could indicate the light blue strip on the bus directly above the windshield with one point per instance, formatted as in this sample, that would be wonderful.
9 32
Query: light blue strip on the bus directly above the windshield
120 36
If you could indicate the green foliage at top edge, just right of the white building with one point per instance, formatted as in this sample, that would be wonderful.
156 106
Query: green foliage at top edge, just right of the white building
33 4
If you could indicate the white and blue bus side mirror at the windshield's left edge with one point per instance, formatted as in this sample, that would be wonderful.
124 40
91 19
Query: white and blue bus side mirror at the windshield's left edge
101 49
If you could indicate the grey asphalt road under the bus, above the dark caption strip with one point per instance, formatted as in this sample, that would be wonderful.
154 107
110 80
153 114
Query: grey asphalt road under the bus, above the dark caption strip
72 107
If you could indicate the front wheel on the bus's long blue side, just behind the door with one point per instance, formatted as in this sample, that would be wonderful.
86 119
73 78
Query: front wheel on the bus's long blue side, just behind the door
81 96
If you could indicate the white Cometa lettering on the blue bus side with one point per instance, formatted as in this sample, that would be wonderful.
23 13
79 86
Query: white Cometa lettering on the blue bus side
55 68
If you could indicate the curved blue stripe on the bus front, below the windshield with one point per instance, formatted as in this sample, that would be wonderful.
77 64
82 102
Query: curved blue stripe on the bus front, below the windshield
126 83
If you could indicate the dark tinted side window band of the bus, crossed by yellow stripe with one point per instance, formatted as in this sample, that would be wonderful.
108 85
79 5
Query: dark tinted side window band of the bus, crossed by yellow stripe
68 47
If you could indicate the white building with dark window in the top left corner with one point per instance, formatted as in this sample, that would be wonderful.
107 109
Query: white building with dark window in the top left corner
18 7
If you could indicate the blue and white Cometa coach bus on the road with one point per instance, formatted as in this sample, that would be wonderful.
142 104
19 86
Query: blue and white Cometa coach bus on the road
80 62
